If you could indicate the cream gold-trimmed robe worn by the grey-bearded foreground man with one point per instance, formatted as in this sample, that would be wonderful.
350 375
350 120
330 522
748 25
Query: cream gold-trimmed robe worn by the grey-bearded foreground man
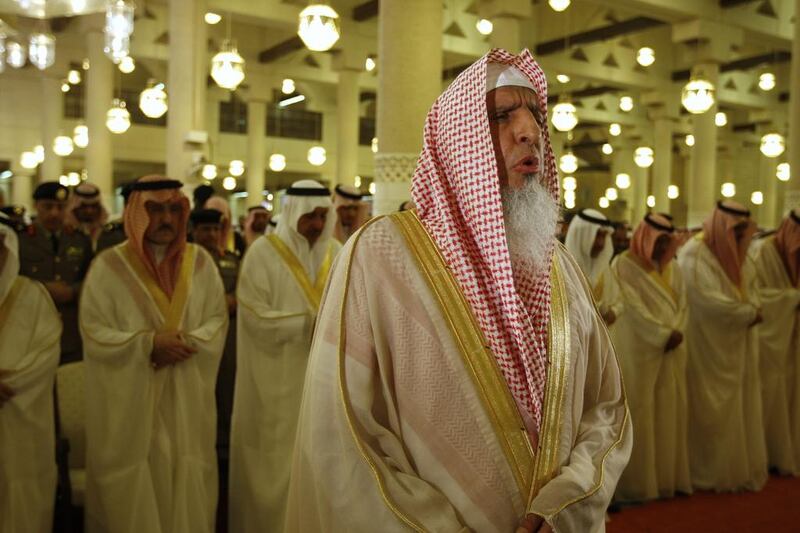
395 435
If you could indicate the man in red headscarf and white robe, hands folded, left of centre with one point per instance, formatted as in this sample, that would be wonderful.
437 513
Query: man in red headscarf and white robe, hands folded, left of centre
153 319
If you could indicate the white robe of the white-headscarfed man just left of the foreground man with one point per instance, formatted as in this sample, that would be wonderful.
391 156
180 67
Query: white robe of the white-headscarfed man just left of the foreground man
274 321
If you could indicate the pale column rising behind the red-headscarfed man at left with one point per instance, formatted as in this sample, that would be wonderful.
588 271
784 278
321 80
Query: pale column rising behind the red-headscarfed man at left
185 18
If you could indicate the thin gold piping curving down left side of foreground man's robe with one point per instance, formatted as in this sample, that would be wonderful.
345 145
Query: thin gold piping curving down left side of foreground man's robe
348 408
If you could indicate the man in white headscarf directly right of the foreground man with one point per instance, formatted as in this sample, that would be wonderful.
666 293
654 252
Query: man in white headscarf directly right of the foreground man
589 241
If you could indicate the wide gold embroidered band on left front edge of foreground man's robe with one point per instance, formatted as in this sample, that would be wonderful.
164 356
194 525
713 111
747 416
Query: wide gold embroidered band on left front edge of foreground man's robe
478 358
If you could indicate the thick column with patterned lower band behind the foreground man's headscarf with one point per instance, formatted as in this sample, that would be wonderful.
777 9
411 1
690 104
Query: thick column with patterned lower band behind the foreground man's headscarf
409 80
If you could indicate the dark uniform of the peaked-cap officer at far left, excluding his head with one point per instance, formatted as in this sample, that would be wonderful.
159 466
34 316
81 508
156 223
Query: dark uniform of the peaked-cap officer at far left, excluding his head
69 263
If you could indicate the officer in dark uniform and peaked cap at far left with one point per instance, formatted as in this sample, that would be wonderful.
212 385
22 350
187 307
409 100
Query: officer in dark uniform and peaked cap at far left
58 257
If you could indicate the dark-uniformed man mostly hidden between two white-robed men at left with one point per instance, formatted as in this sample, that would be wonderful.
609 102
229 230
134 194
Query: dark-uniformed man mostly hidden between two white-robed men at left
206 229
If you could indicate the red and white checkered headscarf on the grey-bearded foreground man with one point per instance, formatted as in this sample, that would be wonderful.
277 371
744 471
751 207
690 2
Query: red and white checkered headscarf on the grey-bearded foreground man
457 194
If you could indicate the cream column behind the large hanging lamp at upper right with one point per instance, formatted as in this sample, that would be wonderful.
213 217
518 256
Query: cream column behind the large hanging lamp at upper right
704 157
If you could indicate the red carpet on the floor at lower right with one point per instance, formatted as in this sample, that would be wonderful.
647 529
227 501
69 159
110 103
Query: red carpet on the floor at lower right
776 509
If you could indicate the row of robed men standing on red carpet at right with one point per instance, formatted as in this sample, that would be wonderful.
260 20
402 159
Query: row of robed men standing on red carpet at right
707 330
